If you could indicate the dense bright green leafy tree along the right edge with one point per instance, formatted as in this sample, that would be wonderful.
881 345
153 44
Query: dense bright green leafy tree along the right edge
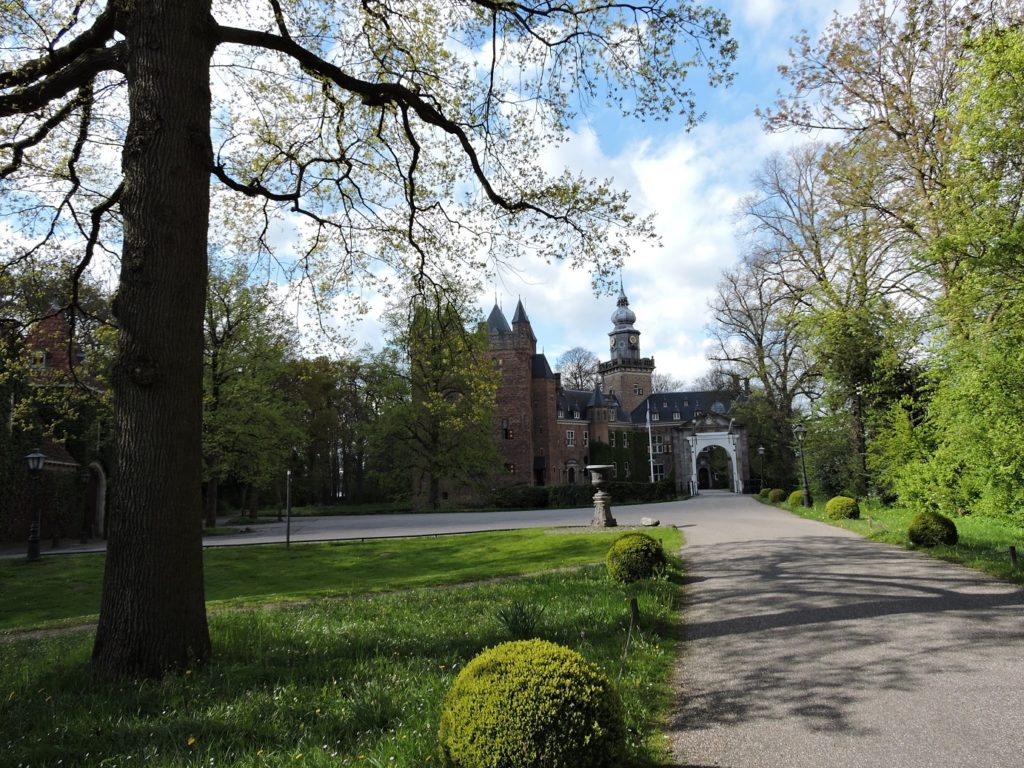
968 449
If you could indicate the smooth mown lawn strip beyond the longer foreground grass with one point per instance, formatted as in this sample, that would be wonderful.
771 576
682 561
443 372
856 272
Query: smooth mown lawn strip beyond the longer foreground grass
63 589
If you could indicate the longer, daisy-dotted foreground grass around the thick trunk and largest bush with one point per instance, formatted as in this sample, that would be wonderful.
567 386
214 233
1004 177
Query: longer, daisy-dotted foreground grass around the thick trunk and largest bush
343 681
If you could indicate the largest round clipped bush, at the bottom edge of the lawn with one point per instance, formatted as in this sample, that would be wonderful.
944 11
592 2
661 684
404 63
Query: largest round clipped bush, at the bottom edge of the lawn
532 704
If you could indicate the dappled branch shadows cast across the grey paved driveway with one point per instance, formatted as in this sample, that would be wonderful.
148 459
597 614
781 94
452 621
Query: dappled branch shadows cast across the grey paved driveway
809 631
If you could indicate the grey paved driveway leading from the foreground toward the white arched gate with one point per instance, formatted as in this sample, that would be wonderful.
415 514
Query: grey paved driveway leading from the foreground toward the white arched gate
806 646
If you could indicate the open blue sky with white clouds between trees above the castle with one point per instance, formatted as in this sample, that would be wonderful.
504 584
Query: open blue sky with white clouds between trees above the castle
692 182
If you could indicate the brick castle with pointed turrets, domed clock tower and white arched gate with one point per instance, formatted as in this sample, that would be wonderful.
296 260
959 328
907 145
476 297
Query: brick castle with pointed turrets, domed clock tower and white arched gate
549 435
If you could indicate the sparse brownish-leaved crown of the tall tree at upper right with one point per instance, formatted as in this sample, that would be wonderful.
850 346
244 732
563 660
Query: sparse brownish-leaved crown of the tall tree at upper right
882 80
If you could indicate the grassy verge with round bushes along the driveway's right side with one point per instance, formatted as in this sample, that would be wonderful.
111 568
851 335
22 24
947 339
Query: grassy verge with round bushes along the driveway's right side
985 543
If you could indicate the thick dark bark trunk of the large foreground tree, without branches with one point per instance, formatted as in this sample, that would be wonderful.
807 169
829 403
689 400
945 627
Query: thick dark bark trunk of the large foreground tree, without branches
153 613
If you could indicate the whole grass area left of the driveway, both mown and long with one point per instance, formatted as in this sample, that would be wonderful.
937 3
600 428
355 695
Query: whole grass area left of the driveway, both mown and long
332 655
